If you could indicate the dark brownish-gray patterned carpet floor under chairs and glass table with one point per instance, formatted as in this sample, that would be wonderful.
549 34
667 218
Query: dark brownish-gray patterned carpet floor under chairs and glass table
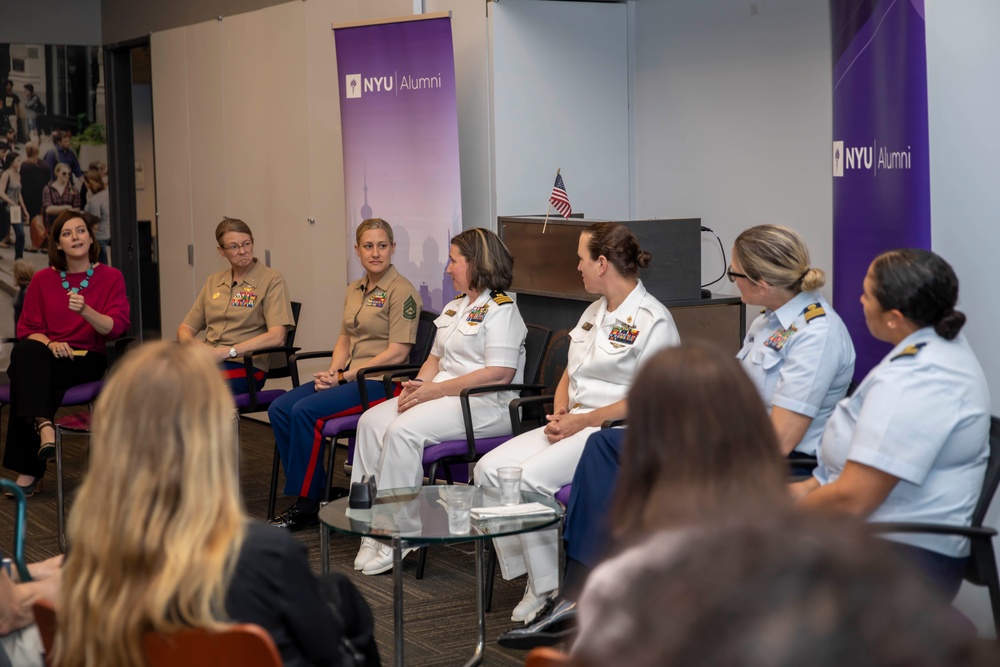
439 610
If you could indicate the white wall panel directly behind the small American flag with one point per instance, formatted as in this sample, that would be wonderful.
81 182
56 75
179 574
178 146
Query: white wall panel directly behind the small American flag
560 94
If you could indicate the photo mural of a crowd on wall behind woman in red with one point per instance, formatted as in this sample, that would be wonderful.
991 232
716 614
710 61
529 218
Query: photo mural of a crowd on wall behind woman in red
53 157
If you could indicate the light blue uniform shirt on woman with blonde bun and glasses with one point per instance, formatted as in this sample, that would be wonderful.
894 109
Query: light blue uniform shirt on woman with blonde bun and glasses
801 358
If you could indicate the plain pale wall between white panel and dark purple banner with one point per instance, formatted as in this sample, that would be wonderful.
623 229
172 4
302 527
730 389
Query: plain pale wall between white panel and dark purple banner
732 117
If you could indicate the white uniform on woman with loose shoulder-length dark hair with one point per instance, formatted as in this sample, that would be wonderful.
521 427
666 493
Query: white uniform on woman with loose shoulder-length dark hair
471 335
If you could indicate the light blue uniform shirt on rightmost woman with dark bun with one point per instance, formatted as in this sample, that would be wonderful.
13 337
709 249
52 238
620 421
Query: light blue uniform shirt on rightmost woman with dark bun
922 415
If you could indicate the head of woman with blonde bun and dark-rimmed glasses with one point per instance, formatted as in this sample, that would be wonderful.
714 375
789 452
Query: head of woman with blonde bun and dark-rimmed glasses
777 256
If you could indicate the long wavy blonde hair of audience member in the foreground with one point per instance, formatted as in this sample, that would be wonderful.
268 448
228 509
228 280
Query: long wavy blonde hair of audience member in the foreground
158 523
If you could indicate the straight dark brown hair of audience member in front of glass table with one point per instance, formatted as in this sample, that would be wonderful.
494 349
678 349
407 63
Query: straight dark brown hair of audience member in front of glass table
698 439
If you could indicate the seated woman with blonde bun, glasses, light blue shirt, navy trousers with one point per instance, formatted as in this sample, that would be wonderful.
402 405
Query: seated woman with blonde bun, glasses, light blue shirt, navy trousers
798 354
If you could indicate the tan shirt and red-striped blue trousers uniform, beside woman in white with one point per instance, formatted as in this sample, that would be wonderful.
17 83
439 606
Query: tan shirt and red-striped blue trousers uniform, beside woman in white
374 316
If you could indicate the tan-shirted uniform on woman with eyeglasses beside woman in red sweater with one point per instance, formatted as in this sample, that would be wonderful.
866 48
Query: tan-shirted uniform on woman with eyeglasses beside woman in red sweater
232 312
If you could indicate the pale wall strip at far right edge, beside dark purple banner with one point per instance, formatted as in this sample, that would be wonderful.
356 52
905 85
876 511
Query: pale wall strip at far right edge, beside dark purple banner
963 59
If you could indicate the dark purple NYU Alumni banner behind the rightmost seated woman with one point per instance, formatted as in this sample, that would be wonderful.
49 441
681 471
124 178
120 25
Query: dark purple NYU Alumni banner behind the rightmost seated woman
881 173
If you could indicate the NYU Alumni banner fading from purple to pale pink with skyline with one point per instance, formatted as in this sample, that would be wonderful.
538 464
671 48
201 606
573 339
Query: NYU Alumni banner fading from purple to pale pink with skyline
399 124
